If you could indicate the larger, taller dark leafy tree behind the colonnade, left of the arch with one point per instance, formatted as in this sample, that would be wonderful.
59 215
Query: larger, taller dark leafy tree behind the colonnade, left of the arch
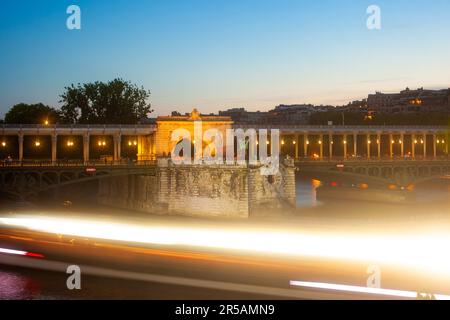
114 102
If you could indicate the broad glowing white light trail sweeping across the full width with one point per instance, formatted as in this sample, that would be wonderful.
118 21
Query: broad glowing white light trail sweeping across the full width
421 252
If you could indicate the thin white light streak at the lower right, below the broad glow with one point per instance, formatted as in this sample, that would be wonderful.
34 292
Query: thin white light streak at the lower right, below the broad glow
366 290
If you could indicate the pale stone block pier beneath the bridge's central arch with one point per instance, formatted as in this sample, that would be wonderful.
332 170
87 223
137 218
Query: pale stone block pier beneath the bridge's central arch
228 191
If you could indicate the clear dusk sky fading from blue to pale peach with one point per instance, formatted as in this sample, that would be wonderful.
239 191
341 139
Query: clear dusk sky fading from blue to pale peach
220 54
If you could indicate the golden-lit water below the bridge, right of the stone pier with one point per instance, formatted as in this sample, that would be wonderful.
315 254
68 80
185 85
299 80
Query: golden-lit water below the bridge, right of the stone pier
423 200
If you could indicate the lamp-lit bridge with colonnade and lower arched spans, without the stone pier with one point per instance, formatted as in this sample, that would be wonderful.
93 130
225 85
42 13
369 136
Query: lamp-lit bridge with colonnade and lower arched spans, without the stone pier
41 157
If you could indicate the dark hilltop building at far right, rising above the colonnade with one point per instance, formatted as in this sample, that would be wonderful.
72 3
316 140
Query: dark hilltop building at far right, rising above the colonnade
420 100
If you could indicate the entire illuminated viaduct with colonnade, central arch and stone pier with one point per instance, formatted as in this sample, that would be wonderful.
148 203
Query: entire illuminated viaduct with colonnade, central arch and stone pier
130 161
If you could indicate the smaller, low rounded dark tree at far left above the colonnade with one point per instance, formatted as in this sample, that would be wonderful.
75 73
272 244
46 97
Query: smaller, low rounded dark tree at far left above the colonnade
39 113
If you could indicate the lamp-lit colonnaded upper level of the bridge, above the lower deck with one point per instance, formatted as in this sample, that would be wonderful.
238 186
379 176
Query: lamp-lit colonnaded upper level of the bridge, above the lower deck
146 142
